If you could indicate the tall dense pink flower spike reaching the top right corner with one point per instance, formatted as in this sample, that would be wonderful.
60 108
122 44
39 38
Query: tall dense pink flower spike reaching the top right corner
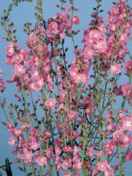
118 17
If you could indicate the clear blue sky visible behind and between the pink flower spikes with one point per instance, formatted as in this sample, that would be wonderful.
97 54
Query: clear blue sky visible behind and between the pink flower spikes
24 13
